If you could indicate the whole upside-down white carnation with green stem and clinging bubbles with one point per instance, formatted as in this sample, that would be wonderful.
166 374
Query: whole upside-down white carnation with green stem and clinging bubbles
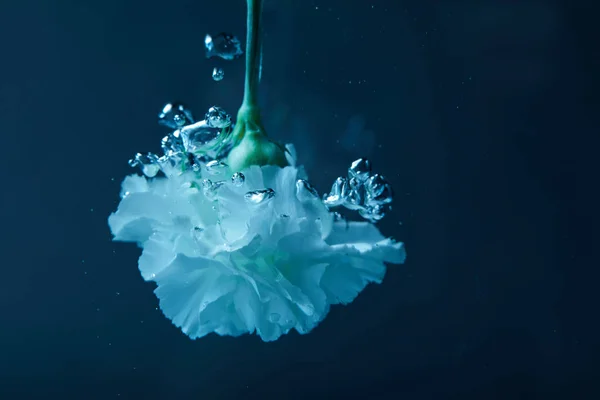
248 245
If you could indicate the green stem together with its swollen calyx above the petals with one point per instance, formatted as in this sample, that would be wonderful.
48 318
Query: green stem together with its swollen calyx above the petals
253 147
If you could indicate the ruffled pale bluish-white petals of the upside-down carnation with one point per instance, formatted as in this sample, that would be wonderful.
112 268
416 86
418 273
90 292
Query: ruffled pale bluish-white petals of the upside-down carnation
263 256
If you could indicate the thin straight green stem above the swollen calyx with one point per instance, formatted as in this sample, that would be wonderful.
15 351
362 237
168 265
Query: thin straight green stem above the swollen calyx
253 50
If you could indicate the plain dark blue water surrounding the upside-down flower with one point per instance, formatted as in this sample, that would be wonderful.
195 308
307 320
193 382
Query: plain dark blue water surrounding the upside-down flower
477 112
